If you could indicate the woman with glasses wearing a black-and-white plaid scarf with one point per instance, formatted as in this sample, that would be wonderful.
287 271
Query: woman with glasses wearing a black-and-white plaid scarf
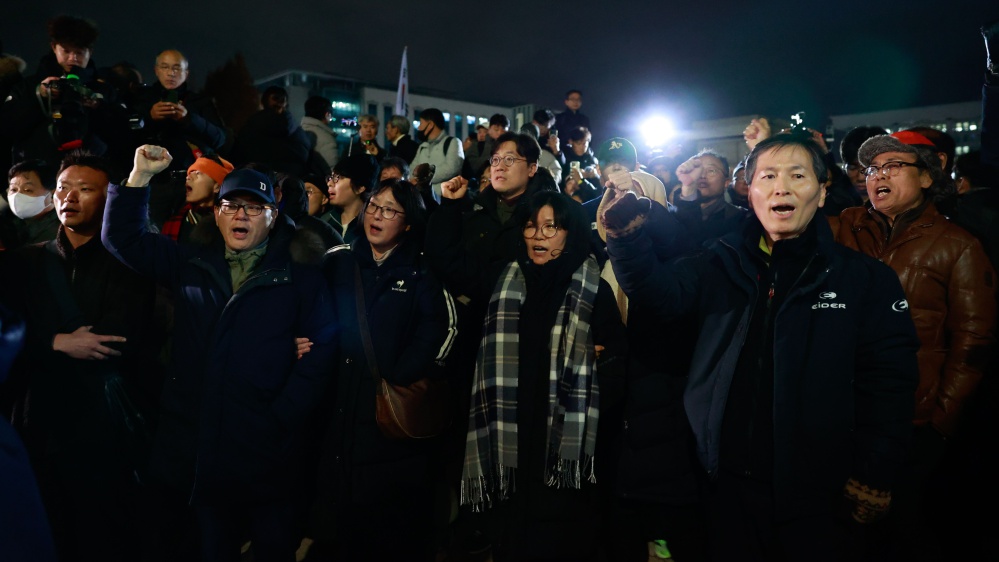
548 367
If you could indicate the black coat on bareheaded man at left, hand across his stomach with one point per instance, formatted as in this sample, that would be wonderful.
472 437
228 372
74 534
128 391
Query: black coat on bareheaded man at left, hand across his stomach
84 455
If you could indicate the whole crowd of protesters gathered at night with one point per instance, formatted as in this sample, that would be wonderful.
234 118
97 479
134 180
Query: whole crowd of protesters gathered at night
223 341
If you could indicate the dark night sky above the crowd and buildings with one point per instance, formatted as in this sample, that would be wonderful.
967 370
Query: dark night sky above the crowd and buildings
689 60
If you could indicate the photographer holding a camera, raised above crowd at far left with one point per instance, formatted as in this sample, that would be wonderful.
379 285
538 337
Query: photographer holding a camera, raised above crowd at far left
64 106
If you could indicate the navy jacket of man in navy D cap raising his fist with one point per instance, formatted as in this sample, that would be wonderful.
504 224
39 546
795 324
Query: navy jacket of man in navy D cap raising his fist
237 401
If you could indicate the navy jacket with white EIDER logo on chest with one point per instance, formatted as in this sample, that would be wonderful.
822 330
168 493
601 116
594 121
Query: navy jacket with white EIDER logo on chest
844 356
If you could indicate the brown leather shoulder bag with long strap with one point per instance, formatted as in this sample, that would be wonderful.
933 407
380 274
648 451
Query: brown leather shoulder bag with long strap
418 411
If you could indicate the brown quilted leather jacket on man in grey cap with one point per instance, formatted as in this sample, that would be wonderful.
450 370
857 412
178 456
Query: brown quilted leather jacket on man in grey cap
950 286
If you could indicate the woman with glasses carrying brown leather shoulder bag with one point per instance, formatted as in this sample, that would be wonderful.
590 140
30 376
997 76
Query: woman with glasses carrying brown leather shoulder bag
376 494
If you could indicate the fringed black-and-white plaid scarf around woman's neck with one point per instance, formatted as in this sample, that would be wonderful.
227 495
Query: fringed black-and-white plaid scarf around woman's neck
491 441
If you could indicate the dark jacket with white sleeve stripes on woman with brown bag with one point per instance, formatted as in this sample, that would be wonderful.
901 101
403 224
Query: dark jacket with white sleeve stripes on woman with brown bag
413 328
